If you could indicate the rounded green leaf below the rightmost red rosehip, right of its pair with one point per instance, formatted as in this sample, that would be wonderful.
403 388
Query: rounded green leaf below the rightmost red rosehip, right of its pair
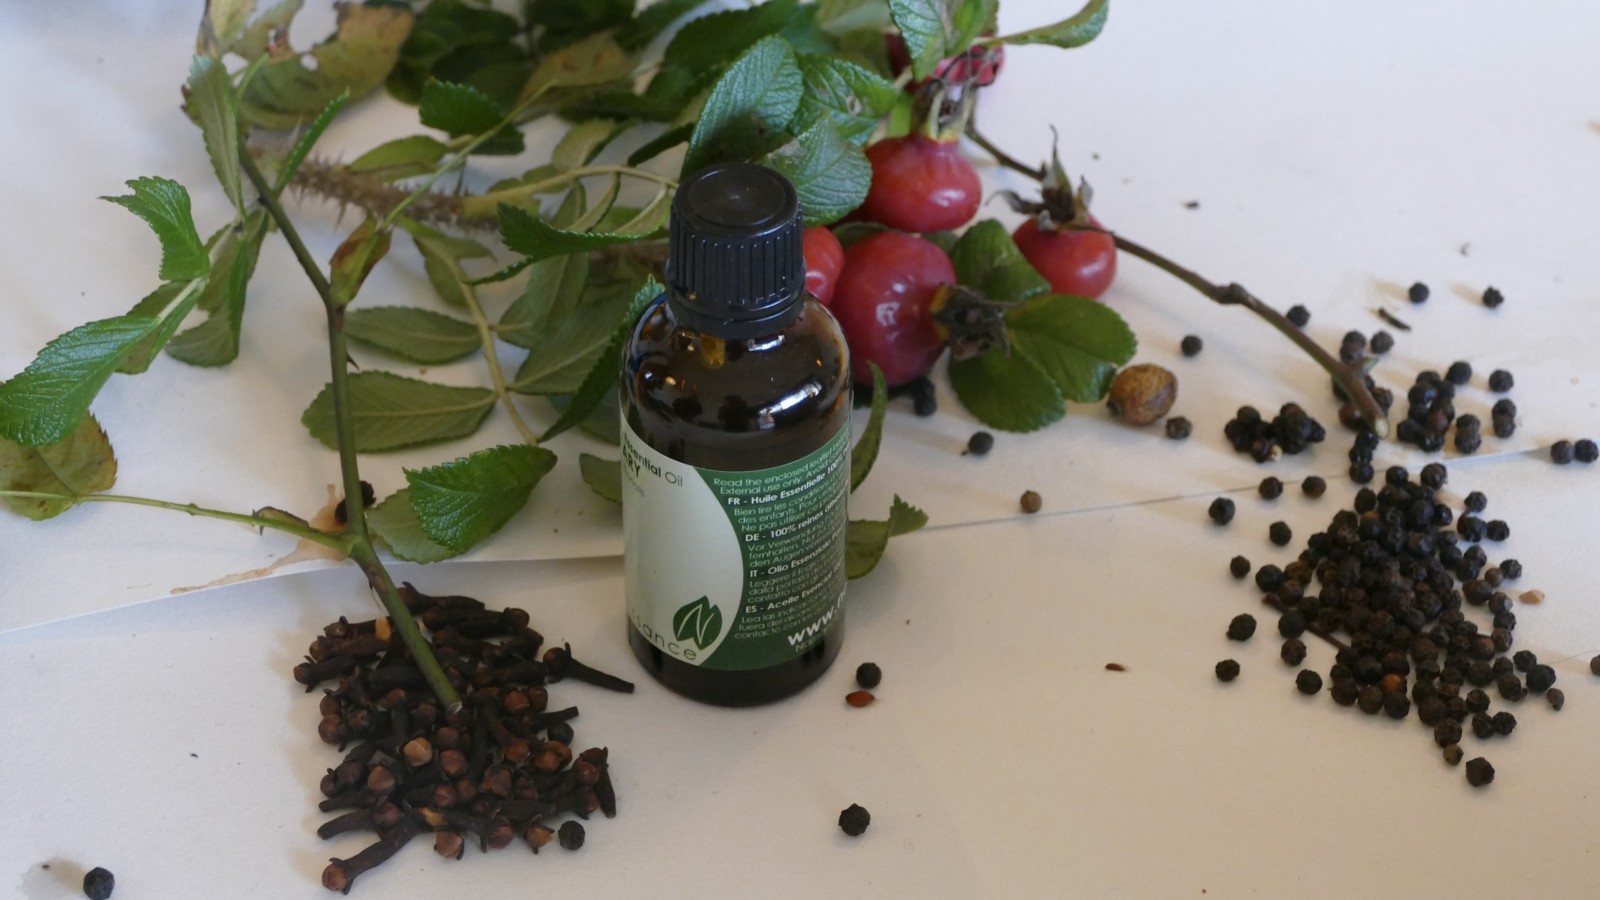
1078 342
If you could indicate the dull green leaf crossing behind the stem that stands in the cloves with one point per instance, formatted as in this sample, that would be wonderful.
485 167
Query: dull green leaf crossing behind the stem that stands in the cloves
393 412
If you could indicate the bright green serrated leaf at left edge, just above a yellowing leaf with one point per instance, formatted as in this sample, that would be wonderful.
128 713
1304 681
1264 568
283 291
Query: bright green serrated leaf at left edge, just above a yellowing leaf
49 400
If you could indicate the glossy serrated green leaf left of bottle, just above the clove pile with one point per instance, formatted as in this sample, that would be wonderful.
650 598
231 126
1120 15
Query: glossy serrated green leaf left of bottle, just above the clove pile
466 500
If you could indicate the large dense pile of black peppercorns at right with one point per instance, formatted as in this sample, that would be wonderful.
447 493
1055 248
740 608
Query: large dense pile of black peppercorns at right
1391 584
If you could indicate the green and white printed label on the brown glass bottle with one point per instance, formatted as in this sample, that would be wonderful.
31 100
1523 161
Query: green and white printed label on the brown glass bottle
735 571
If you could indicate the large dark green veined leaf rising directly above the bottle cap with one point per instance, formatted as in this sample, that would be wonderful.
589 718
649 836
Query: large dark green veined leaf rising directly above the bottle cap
750 108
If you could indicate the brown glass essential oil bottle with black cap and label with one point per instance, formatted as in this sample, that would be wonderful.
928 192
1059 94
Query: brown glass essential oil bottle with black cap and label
735 452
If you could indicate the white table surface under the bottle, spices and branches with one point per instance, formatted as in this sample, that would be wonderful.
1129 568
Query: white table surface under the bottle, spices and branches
1338 153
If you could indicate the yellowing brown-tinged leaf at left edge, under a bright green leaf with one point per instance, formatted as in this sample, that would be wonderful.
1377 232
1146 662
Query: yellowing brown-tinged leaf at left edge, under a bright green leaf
73 467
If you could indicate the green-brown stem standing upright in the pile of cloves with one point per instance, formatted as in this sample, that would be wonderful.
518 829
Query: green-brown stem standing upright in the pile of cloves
340 388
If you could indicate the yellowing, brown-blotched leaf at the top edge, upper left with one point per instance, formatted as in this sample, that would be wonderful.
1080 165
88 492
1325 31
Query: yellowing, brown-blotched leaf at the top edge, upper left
358 60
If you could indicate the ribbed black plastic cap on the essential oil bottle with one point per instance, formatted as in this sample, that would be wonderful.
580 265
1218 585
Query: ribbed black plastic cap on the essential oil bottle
737 268
